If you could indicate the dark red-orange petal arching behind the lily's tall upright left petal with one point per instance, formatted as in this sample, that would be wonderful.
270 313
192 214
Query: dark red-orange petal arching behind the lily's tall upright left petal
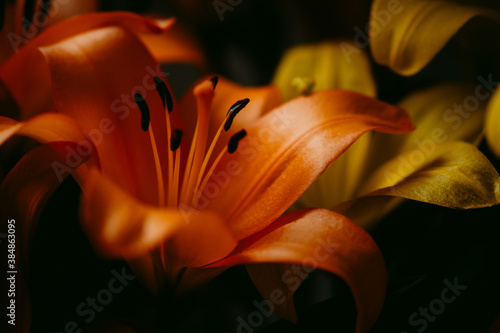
21 70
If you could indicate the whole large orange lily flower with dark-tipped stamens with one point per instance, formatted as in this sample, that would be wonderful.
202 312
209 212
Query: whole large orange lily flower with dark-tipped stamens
184 189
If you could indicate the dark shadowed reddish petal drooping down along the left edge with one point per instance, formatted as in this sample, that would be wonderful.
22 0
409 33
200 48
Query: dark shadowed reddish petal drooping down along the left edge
25 192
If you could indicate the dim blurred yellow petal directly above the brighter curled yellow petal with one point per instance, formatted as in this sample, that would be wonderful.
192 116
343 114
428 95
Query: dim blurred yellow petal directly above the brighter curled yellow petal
442 113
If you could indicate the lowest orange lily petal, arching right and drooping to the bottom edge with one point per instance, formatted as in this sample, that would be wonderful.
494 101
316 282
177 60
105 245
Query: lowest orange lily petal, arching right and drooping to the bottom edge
323 239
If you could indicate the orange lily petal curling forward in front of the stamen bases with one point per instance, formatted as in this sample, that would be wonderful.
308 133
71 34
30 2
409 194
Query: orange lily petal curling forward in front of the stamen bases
121 226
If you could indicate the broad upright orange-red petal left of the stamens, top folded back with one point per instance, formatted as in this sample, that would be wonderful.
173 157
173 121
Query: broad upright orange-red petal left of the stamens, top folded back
95 76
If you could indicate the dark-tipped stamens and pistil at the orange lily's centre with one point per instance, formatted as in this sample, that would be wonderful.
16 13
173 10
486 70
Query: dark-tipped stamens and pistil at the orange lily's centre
187 191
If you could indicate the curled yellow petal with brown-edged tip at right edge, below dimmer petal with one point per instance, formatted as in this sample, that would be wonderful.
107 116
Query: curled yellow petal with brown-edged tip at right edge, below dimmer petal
454 175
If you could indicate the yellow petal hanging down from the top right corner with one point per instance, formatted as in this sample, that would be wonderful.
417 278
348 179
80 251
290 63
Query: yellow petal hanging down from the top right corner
406 36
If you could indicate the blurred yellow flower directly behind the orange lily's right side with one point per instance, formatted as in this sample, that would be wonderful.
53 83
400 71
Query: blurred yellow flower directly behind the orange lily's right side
432 164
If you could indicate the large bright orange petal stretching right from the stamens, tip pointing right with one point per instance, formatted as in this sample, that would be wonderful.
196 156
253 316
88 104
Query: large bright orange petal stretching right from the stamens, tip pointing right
285 151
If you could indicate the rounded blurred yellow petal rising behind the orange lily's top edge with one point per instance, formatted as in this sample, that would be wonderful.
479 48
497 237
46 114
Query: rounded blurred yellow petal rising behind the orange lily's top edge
331 65
